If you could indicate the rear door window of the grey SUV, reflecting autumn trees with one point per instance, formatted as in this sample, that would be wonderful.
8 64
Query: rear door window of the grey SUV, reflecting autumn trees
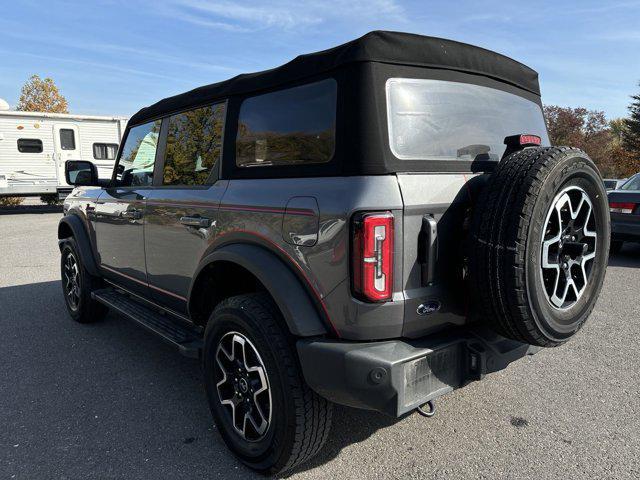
194 145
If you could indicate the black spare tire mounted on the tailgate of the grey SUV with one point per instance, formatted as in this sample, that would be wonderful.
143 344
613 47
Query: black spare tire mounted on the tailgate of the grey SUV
512 291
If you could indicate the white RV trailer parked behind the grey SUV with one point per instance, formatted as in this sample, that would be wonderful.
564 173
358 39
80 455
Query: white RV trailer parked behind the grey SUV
34 147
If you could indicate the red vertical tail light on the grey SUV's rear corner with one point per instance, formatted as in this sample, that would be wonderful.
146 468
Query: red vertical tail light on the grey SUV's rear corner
373 256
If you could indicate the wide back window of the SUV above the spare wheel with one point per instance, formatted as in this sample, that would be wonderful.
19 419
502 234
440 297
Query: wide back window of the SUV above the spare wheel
441 120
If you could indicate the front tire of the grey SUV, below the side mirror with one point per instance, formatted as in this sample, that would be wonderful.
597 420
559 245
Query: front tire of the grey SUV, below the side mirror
81 307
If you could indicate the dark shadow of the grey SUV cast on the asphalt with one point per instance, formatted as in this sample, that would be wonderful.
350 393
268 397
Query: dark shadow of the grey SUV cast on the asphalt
110 400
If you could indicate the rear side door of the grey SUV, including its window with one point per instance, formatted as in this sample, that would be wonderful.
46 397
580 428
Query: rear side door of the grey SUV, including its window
181 211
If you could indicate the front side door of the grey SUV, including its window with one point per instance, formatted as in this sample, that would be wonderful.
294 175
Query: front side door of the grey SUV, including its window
120 210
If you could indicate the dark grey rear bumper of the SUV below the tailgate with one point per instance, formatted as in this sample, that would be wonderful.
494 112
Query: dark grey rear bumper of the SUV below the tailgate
397 376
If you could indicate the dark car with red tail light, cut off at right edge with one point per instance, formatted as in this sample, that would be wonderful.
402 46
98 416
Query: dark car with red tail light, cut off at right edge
624 204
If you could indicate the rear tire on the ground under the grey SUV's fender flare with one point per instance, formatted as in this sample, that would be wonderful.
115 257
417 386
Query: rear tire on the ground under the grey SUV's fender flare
299 418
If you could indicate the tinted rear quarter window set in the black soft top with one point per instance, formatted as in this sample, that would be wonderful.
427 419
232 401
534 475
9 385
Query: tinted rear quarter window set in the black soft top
289 127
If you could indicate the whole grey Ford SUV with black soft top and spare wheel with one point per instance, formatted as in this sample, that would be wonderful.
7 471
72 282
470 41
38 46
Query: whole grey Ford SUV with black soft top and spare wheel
373 225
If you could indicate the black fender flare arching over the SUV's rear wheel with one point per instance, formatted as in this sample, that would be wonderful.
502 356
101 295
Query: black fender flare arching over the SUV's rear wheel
297 307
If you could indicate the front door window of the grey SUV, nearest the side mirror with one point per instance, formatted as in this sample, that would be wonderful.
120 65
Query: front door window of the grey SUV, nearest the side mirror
135 167
